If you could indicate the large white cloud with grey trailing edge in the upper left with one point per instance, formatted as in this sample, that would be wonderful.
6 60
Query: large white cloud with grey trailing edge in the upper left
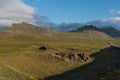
13 11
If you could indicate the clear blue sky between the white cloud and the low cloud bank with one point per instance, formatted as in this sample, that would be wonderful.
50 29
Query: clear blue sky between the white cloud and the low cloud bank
68 11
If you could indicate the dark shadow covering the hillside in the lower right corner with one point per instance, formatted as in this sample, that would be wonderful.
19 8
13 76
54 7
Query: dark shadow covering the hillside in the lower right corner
106 66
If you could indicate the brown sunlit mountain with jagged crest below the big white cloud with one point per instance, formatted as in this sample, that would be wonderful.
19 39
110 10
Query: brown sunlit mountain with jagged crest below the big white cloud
26 27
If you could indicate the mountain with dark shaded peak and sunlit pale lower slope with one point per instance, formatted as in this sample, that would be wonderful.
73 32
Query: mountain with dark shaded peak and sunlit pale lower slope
92 31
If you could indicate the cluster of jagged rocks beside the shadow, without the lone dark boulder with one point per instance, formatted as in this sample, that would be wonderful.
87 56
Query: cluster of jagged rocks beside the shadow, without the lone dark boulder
73 56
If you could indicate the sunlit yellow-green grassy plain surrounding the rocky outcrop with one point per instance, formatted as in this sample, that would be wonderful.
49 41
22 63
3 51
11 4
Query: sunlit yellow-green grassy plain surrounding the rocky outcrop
21 53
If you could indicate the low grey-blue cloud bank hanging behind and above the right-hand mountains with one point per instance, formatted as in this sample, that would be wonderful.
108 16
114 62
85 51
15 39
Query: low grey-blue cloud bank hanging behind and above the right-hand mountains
111 22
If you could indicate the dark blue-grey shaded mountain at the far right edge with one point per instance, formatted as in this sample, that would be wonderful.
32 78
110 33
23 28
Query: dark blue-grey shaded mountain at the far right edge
111 31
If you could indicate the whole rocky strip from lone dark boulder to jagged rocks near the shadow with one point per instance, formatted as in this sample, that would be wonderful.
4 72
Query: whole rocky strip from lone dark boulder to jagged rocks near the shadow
68 55
